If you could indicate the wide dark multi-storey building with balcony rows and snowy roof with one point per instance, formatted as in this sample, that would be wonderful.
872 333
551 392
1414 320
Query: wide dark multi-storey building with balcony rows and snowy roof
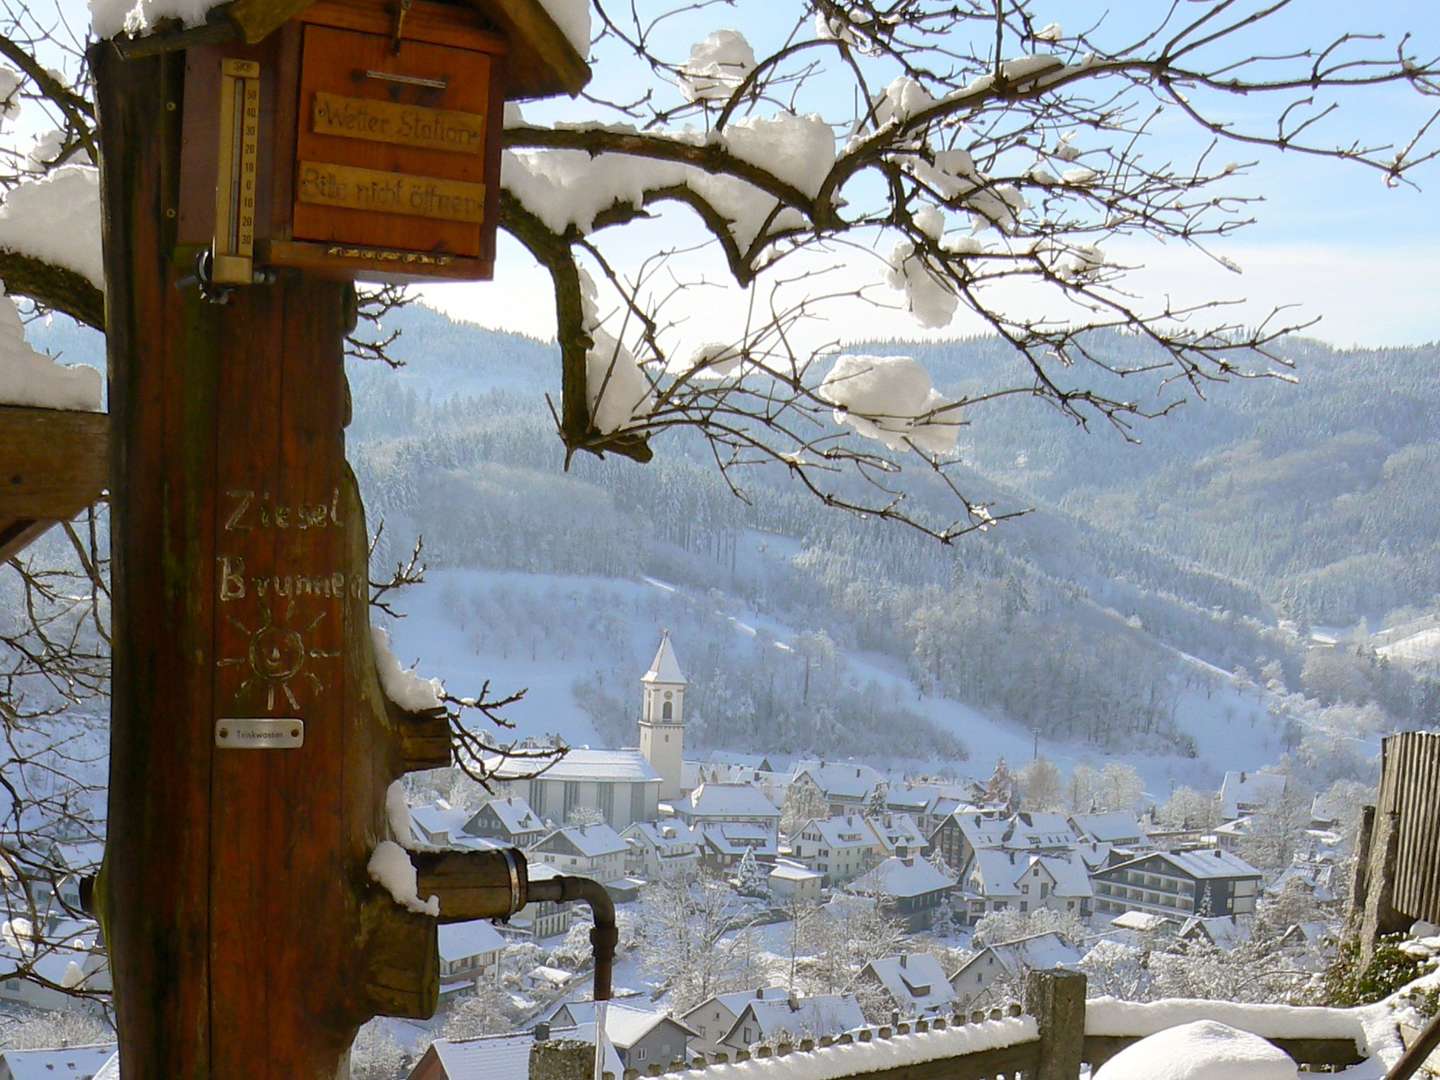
1179 883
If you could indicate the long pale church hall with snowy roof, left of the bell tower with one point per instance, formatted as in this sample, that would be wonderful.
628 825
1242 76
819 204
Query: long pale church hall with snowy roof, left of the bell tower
620 786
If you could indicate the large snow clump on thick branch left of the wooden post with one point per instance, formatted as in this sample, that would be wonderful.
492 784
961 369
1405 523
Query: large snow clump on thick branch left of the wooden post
57 220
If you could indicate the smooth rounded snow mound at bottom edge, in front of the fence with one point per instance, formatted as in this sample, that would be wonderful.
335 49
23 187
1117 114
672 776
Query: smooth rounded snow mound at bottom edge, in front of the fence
1202 1050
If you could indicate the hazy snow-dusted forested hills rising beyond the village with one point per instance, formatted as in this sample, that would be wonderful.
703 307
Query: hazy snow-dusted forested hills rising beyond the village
1265 502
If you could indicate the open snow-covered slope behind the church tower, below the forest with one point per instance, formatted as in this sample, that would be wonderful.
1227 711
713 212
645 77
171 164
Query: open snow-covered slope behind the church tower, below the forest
466 642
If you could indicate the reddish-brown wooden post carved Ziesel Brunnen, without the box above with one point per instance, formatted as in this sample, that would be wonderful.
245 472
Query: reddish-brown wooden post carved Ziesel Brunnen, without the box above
246 938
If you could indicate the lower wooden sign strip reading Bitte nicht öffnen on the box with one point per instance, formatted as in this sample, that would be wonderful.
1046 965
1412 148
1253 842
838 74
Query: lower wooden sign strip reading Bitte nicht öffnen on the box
377 192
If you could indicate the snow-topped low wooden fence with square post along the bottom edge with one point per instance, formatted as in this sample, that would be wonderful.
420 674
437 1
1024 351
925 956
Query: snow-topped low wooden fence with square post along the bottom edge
1046 1040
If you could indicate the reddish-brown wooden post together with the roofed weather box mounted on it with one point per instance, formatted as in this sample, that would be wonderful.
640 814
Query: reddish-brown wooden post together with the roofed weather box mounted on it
270 158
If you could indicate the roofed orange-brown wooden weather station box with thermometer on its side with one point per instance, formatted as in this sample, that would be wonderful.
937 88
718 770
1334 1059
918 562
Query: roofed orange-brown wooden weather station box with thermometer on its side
358 139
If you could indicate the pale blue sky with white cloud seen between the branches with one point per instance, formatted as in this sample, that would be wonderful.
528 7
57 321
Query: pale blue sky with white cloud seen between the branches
1331 240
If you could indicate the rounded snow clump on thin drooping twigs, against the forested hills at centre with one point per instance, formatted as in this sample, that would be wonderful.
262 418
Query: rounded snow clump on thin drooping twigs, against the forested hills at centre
892 400
